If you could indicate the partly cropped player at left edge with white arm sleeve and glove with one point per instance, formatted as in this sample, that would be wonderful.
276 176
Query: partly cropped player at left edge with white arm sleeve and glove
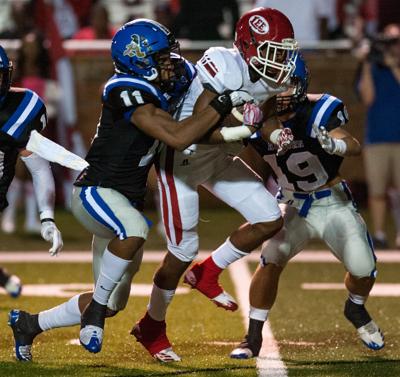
21 112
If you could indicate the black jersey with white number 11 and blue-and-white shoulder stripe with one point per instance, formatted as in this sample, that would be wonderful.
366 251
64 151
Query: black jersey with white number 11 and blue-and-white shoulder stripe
121 154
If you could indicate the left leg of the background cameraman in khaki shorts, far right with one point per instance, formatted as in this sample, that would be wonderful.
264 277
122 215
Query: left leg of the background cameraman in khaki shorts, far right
377 169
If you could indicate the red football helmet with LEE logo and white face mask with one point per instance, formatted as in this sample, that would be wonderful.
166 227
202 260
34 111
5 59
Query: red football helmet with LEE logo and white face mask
265 39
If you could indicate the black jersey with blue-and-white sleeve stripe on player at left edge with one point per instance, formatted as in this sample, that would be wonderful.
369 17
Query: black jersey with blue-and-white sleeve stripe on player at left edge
21 112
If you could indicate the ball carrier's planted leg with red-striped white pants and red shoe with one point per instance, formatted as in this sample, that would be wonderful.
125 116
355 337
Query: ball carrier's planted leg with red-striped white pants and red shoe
180 212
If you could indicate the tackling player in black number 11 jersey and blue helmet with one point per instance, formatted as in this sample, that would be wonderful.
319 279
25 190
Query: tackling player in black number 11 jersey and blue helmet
148 85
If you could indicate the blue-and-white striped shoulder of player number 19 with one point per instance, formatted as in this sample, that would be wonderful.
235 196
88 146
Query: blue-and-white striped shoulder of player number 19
326 107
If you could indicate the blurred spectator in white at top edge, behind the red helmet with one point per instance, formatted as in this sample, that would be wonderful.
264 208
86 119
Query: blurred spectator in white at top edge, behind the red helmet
312 19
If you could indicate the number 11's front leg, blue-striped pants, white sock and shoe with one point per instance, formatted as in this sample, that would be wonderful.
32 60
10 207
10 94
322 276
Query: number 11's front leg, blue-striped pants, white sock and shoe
94 206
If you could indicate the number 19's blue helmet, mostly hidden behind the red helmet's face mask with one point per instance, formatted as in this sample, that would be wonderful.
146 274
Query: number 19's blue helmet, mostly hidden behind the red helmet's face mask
299 81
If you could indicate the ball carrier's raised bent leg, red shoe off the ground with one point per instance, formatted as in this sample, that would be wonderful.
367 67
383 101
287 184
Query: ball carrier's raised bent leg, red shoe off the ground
240 188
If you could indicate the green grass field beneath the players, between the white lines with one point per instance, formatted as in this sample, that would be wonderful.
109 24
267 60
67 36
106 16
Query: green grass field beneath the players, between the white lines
313 336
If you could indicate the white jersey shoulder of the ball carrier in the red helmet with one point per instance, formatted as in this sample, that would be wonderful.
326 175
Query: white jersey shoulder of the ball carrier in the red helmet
219 68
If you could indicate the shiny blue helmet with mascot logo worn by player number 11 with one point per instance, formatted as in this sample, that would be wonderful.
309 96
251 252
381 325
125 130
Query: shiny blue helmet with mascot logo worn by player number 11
137 45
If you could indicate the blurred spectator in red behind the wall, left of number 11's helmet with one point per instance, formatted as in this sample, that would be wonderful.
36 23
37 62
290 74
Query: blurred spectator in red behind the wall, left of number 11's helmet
99 25
